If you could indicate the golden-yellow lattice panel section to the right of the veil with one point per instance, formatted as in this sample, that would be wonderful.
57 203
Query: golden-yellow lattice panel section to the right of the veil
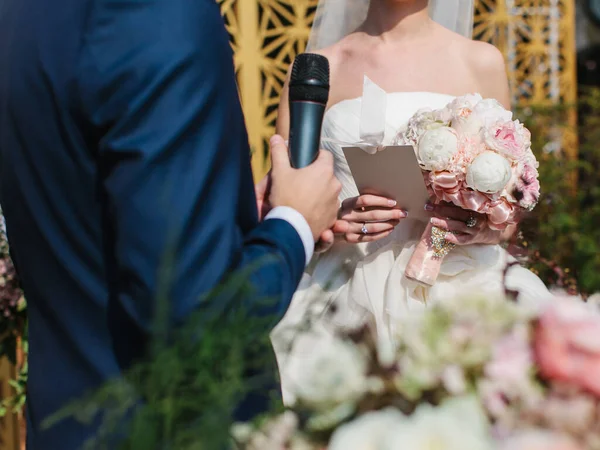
537 38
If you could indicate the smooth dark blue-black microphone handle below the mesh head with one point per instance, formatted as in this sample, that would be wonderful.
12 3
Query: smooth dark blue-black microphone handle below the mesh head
306 120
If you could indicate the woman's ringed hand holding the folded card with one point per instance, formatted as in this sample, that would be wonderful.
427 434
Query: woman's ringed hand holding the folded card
378 216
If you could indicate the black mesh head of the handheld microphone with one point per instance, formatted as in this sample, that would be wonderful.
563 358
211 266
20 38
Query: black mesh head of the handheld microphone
310 79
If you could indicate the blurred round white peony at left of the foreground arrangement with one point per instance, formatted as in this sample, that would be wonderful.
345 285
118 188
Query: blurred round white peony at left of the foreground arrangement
330 374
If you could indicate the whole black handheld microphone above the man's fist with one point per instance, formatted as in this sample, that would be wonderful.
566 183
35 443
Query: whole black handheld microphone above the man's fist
309 92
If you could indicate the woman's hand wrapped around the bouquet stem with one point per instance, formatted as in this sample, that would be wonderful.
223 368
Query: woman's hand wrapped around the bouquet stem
457 220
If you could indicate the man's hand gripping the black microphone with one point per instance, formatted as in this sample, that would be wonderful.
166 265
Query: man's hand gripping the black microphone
312 191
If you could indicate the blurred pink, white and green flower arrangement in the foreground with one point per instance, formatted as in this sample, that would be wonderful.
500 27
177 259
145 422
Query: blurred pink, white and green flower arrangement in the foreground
476 374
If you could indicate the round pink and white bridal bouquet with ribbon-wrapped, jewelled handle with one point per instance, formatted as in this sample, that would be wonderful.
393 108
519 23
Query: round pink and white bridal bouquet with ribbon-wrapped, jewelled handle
475 156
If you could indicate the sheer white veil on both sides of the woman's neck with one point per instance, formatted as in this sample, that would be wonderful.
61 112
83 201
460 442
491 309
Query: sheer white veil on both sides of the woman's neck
336 19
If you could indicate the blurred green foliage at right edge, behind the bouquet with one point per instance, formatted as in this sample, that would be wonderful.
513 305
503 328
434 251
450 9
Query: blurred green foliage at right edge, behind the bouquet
563 233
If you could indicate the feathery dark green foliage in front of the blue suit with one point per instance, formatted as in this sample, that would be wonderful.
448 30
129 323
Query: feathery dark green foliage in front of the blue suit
186 395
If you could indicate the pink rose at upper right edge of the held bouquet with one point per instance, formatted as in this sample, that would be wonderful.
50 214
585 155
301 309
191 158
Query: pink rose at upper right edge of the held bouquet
508 138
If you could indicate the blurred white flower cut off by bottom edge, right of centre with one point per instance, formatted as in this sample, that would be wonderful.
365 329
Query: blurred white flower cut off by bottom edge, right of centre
458 424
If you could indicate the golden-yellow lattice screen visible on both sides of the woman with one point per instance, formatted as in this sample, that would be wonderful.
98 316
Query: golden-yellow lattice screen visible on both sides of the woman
537 38
